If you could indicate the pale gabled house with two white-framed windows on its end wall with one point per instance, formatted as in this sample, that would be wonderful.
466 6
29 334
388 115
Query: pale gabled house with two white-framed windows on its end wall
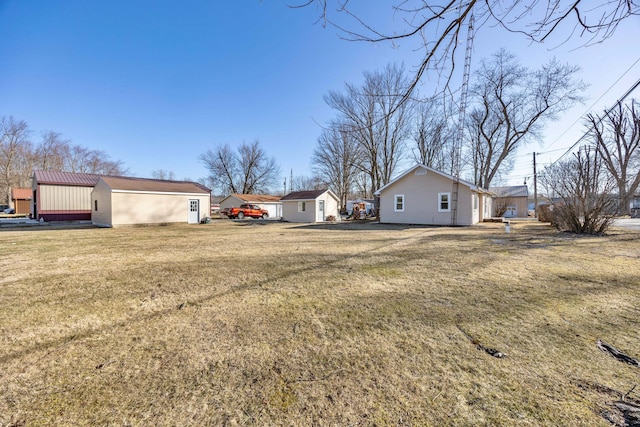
423 195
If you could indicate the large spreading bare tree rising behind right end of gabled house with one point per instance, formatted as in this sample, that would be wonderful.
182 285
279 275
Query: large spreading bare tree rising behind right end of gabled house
511 103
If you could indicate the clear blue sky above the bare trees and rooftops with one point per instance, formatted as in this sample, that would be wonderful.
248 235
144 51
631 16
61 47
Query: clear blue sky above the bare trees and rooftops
156 83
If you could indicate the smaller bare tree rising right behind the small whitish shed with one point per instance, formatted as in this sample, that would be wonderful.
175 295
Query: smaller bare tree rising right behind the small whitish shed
335 158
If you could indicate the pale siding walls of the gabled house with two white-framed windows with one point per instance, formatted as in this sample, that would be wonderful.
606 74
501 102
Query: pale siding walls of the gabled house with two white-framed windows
421 200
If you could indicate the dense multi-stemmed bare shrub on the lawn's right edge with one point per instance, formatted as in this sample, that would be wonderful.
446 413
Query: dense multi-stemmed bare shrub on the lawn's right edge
585 190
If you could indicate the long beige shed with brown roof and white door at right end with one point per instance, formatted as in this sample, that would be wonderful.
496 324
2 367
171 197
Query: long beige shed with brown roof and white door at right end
119 201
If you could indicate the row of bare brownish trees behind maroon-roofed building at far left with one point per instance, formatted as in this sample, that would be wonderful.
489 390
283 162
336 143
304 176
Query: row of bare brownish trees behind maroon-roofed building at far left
20 155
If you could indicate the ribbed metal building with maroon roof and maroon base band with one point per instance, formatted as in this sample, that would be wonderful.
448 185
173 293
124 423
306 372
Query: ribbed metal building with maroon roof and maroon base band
62 196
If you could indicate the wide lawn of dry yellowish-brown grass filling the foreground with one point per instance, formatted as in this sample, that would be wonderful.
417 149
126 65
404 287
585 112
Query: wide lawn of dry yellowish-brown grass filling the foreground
244 323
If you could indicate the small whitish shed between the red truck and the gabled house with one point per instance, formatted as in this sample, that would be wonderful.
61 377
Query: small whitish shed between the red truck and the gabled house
311 206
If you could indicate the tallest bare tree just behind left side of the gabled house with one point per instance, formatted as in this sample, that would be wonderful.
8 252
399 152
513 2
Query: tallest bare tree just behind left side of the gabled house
375 117
